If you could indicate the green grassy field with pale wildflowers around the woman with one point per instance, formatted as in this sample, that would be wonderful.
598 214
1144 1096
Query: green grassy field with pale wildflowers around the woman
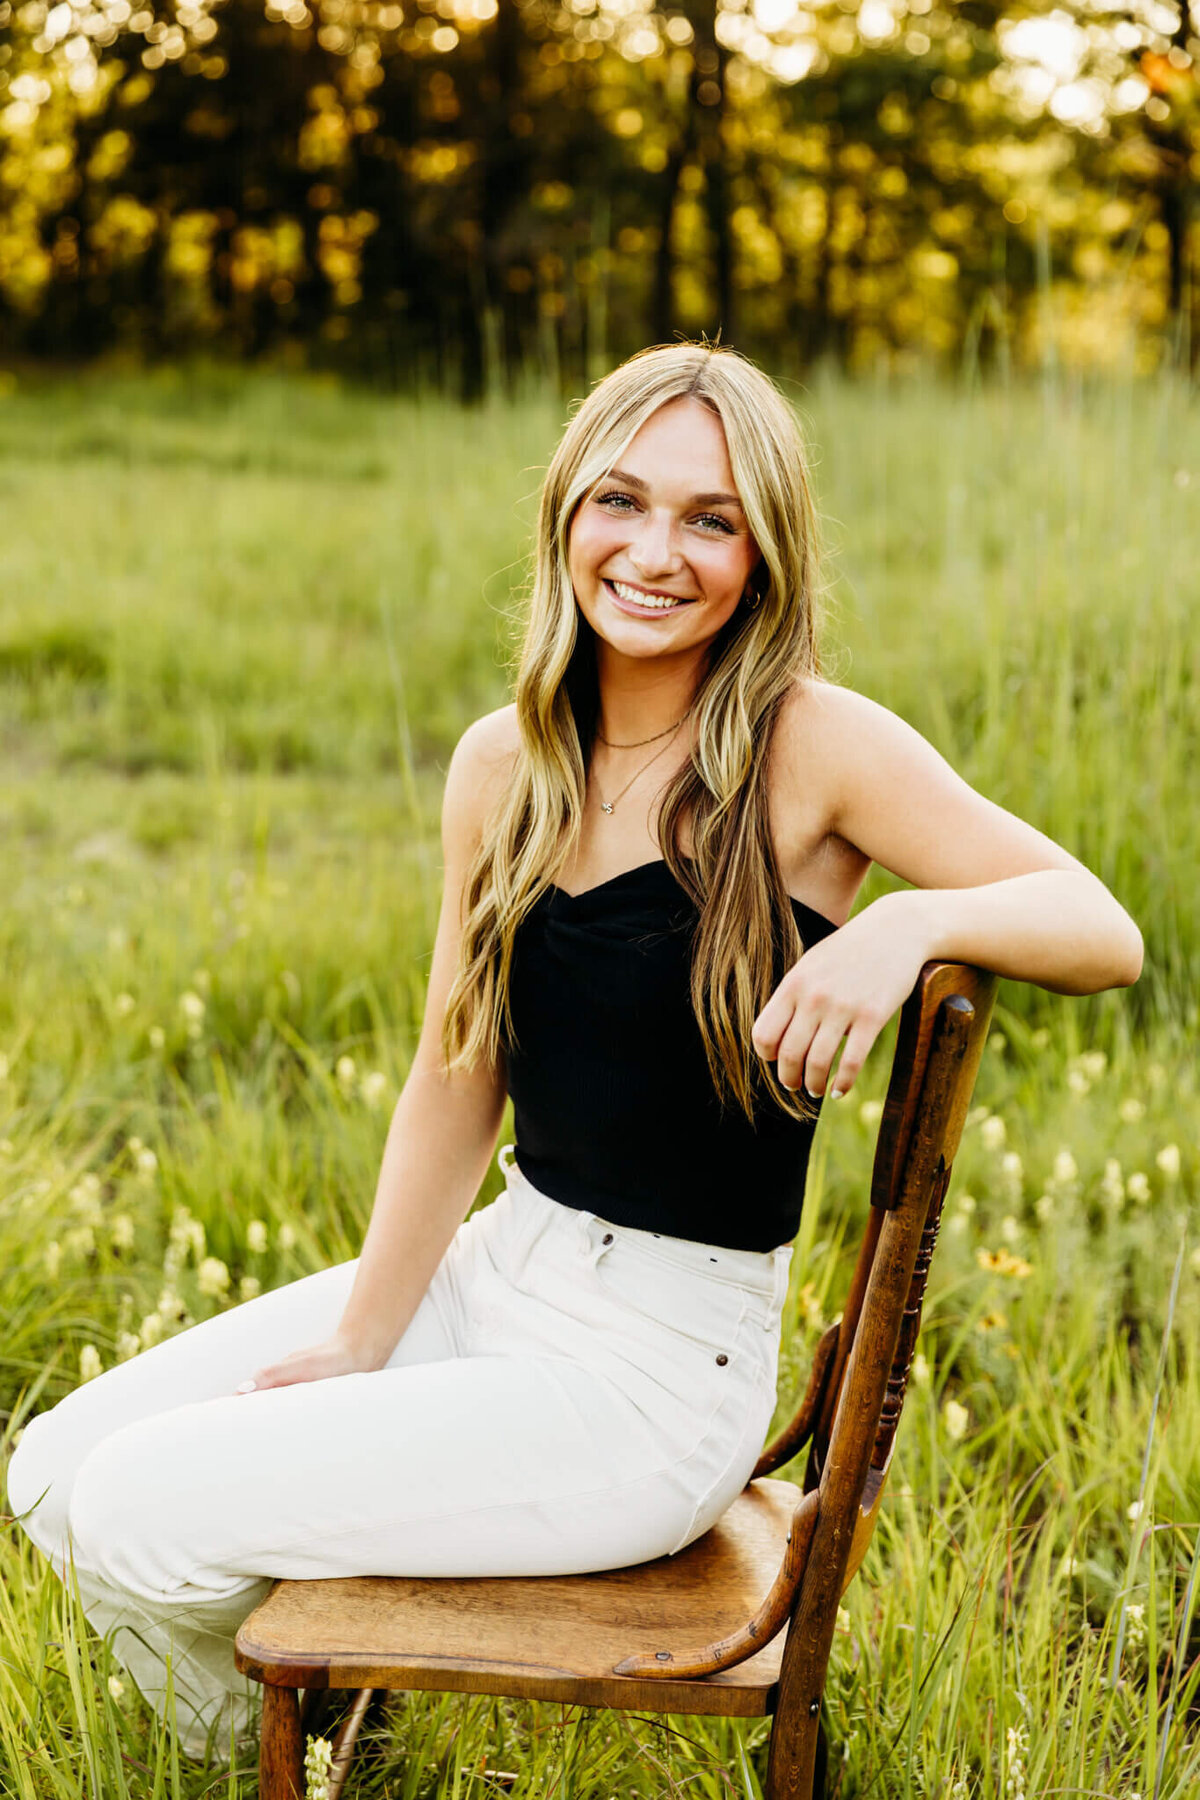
244 624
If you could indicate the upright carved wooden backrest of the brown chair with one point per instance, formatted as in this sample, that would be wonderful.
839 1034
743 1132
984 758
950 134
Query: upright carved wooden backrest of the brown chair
855 1414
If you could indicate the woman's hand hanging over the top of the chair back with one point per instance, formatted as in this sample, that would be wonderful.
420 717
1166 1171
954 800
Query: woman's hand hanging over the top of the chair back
846 987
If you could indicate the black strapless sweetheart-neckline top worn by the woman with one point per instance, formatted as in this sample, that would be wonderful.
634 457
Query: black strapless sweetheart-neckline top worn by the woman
614 1104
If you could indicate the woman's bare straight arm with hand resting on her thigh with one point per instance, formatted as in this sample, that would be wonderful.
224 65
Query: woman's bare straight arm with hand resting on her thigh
445 1128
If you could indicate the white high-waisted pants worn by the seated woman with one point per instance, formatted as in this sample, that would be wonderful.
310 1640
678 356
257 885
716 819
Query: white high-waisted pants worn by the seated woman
569 1396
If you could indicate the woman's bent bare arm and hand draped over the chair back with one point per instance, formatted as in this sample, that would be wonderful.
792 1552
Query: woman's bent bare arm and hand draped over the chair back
987 890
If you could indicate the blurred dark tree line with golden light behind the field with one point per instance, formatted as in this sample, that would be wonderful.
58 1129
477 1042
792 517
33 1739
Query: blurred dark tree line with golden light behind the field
465 188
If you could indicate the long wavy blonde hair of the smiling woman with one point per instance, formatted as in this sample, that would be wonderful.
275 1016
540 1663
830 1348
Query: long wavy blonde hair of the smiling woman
748 931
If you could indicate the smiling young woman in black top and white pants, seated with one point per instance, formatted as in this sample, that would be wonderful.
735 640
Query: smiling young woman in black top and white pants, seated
650 861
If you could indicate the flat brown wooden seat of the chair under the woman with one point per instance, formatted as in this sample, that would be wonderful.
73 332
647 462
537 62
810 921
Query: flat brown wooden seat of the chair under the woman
539 1637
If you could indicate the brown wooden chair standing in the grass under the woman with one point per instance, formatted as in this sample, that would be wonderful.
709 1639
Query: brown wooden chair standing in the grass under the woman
740 1623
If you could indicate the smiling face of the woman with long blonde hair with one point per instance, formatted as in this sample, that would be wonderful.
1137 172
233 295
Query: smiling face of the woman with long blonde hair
659 552
